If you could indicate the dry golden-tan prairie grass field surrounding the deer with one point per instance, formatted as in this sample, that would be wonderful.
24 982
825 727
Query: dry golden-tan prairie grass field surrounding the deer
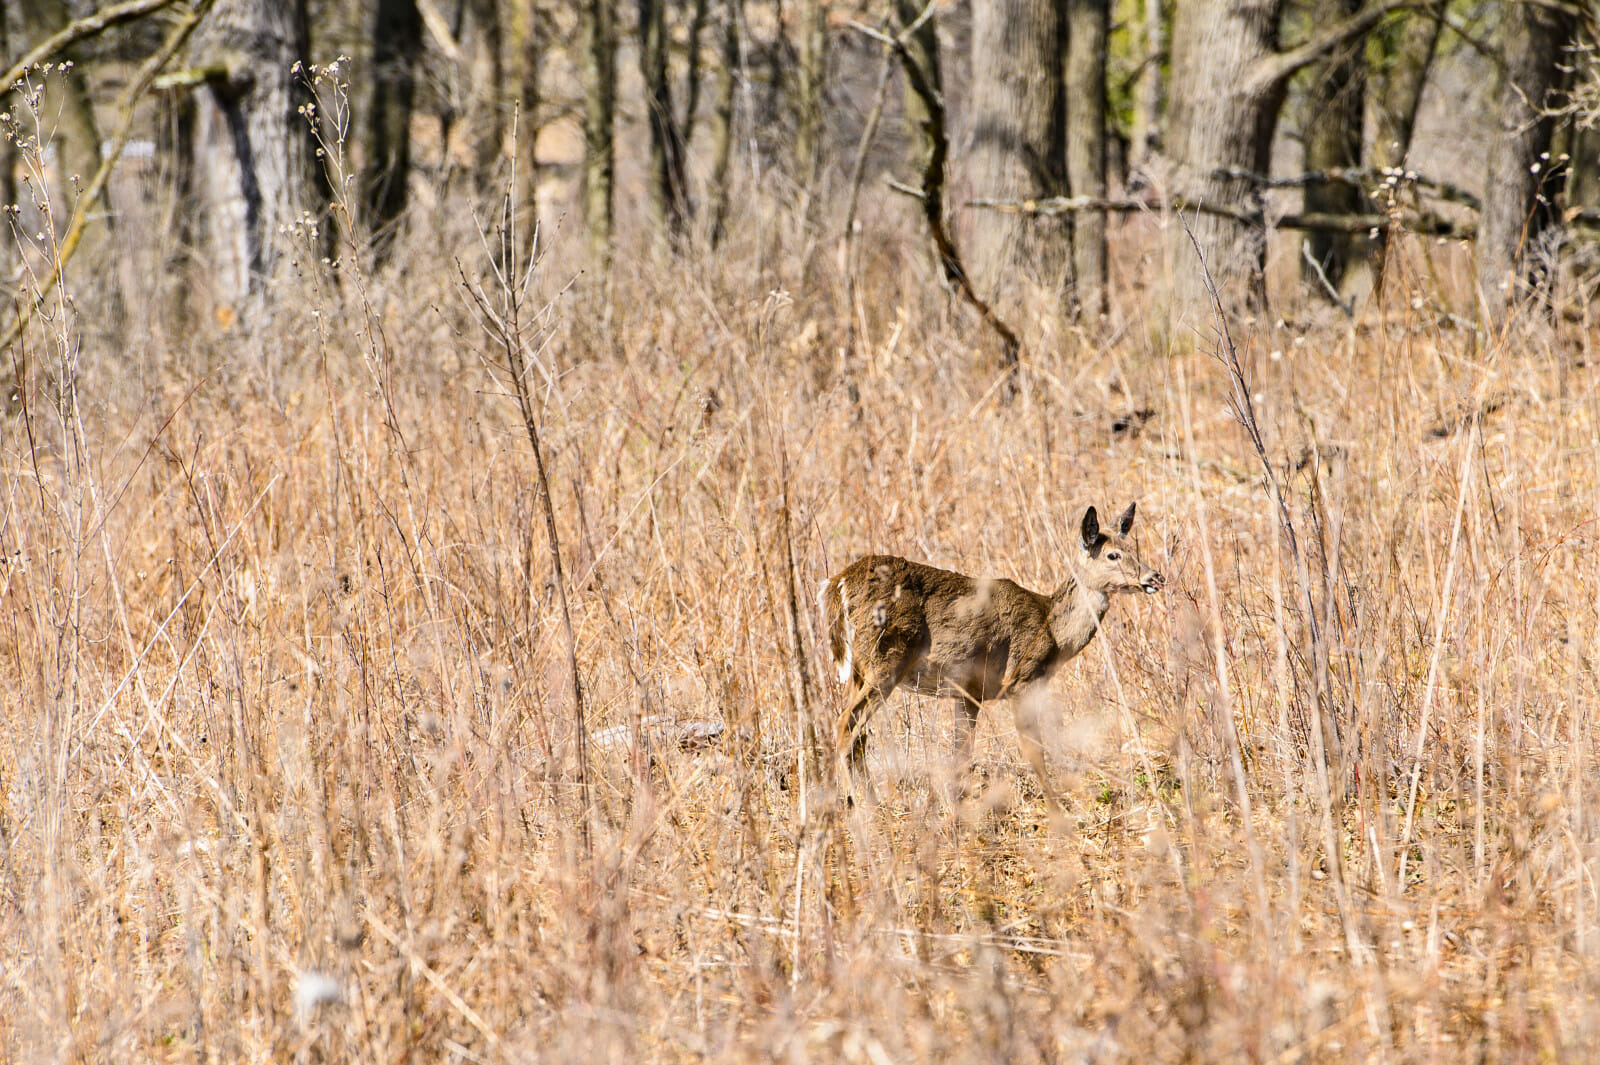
290 756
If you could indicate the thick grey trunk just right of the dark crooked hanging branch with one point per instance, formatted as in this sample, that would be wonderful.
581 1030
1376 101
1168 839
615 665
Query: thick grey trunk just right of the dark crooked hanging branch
1017 148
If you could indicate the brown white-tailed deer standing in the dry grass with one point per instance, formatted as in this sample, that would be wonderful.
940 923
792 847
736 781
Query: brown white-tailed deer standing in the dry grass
900 624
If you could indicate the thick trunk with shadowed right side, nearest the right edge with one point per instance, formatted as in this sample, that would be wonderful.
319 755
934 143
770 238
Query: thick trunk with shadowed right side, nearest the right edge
1521 186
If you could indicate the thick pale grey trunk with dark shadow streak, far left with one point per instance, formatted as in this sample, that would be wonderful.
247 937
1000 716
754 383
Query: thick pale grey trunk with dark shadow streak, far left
257 169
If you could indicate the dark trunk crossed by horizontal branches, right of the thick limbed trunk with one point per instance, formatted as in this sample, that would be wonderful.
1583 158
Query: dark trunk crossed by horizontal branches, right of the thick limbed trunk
1334 138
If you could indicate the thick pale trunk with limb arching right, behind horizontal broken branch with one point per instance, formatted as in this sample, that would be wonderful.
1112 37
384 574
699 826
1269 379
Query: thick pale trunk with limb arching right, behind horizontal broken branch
1222 118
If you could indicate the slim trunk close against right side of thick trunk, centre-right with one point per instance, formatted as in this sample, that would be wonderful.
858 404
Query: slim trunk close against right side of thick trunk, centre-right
1086 90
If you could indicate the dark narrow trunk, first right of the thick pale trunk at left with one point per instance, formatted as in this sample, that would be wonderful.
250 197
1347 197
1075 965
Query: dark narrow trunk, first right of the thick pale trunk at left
398 44
